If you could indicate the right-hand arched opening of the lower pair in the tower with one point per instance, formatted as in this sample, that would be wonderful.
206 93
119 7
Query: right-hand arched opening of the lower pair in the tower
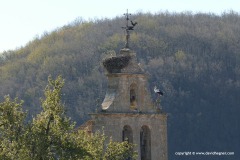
145 143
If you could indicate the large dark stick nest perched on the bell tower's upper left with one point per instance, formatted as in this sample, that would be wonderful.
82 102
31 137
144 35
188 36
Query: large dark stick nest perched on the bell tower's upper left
115 64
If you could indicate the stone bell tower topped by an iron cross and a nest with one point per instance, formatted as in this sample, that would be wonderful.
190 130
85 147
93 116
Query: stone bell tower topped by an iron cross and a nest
127 112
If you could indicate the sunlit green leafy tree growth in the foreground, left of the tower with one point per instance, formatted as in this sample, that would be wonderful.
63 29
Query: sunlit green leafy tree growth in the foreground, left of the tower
51 134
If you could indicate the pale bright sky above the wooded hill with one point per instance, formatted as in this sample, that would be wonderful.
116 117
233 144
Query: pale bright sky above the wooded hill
23 20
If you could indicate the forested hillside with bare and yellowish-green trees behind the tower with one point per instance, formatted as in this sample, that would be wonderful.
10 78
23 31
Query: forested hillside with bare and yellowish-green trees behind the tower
193 58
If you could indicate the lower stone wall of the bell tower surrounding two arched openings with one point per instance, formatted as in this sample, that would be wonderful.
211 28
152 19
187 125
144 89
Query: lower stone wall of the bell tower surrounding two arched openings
113 126
